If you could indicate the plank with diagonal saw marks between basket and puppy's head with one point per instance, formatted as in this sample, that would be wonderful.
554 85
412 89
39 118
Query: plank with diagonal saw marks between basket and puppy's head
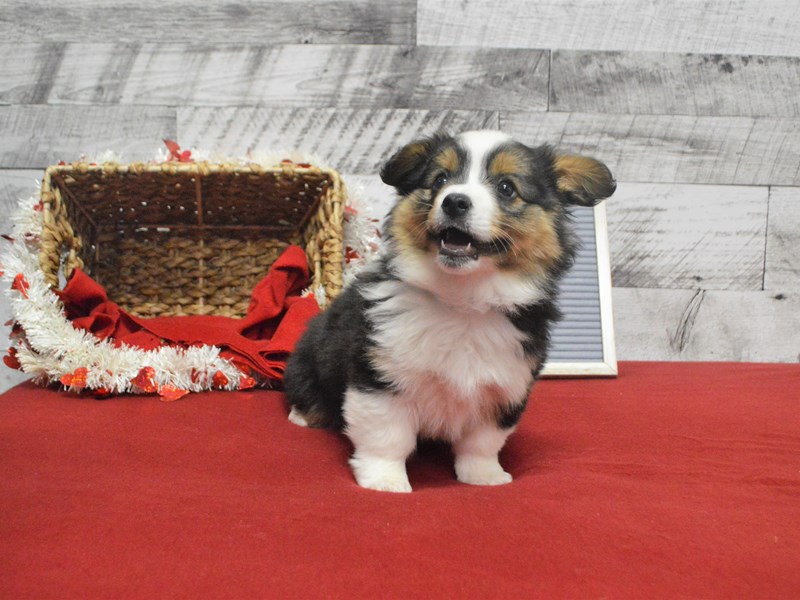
354 141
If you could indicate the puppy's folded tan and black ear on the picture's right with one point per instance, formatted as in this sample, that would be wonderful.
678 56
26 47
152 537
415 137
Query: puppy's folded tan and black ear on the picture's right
583 180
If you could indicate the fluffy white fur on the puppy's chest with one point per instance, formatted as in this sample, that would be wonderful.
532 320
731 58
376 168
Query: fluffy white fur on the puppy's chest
453 368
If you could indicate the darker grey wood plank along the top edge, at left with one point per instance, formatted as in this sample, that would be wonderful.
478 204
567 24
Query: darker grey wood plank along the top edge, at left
241 22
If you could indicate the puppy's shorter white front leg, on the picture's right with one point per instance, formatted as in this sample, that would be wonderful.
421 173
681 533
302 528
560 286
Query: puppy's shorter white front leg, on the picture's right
476 455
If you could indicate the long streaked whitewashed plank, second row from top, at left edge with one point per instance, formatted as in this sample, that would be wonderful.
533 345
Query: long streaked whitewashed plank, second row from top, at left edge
276 76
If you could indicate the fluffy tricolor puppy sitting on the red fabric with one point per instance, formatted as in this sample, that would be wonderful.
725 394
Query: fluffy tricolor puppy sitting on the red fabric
444 334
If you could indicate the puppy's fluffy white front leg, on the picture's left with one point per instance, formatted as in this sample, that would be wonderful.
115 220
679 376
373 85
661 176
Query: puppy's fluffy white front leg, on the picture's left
384 436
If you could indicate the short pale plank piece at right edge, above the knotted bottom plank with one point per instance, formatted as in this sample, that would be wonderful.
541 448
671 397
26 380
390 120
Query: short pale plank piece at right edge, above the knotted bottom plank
783 241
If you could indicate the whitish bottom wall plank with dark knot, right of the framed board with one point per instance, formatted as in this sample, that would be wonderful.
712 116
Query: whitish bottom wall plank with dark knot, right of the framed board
656 324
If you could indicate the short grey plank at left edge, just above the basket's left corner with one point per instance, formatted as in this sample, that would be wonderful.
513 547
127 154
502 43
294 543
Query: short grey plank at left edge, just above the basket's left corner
37 136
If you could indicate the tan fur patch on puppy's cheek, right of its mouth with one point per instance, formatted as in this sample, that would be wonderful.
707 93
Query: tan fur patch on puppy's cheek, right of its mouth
534 241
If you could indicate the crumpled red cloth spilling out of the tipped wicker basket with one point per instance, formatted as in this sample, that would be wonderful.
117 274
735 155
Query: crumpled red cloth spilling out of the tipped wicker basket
260 341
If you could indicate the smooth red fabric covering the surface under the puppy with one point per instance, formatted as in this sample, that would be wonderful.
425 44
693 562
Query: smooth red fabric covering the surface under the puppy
674 480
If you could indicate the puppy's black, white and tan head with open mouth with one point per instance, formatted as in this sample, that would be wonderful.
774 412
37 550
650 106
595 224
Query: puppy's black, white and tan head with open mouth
482 200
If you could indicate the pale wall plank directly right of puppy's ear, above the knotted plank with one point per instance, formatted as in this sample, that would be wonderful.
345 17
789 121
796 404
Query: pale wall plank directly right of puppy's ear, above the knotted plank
687 236
